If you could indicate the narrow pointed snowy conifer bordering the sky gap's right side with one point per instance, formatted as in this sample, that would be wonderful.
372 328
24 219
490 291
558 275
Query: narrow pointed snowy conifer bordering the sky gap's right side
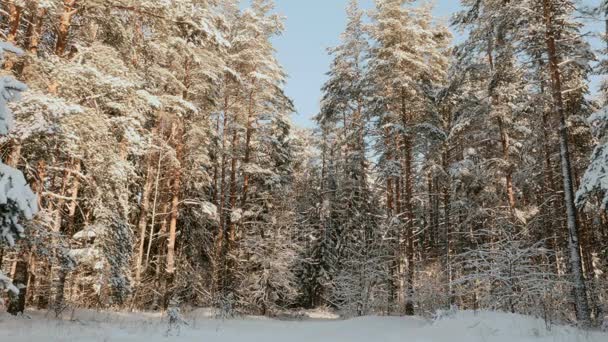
352 205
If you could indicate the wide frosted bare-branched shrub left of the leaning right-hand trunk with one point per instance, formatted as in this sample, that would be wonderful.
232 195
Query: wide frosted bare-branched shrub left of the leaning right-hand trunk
507 273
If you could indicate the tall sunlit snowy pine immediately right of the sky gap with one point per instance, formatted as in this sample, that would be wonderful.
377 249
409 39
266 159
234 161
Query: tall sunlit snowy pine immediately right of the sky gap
407 60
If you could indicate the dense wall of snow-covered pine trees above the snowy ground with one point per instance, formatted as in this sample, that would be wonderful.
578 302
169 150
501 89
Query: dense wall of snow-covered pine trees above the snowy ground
157 137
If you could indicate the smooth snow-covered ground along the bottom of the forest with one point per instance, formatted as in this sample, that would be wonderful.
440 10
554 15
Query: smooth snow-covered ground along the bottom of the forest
464 326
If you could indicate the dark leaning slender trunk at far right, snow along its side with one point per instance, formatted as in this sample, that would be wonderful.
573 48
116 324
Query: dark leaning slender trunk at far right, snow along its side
580 291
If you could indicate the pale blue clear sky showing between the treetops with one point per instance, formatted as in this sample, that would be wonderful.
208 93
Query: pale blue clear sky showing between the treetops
312 26
